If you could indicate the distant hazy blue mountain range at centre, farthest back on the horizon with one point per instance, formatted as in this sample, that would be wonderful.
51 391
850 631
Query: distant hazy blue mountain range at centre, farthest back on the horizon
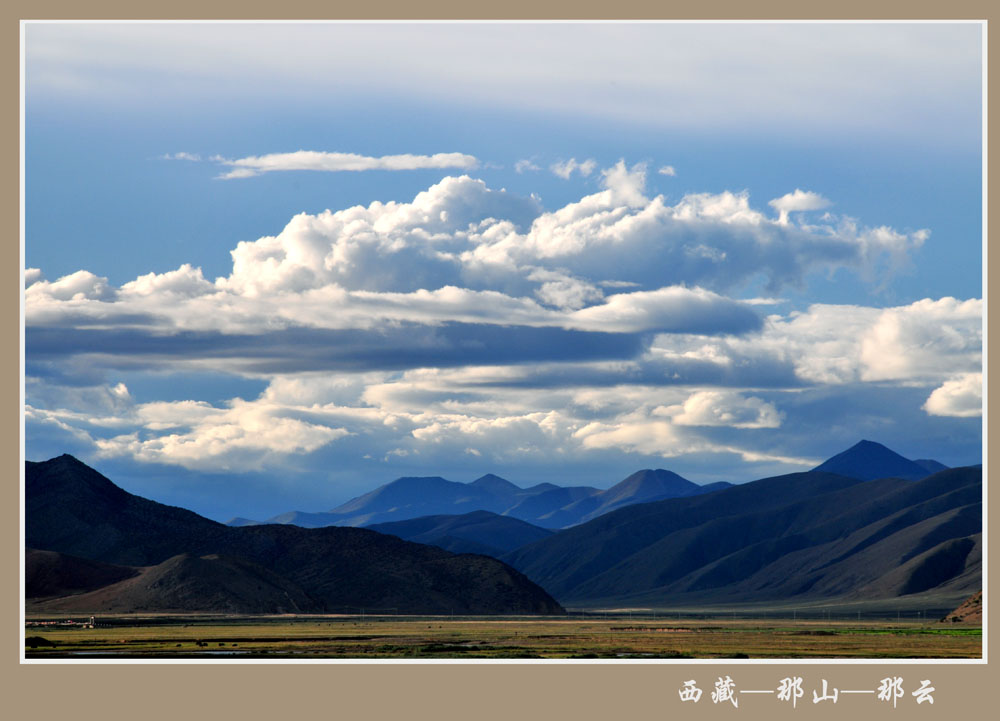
544 505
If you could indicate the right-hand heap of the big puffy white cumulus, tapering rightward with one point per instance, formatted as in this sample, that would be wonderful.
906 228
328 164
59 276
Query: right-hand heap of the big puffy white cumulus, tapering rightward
716 240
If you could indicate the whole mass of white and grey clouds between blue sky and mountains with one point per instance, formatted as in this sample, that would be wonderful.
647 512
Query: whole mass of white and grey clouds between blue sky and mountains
473 323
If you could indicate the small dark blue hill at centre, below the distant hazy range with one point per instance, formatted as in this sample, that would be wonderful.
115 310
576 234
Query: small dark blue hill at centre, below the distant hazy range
475 532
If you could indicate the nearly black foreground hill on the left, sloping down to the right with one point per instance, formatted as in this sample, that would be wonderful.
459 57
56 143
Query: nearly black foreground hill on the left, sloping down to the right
202 565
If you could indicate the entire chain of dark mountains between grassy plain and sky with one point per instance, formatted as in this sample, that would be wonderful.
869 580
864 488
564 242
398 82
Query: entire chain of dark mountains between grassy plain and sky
652 539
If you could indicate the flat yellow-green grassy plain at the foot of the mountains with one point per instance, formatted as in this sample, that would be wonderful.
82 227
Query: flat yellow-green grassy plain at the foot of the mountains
607 637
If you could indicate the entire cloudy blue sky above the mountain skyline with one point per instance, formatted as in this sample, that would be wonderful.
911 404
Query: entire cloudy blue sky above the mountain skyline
271 266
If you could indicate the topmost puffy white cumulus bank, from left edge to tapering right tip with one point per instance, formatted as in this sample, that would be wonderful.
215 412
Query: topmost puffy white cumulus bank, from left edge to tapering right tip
461 234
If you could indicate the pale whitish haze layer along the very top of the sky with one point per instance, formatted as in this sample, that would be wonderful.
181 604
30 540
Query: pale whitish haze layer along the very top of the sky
835 78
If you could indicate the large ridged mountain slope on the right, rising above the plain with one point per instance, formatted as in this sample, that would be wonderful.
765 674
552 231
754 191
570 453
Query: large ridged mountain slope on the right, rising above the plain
802 535
